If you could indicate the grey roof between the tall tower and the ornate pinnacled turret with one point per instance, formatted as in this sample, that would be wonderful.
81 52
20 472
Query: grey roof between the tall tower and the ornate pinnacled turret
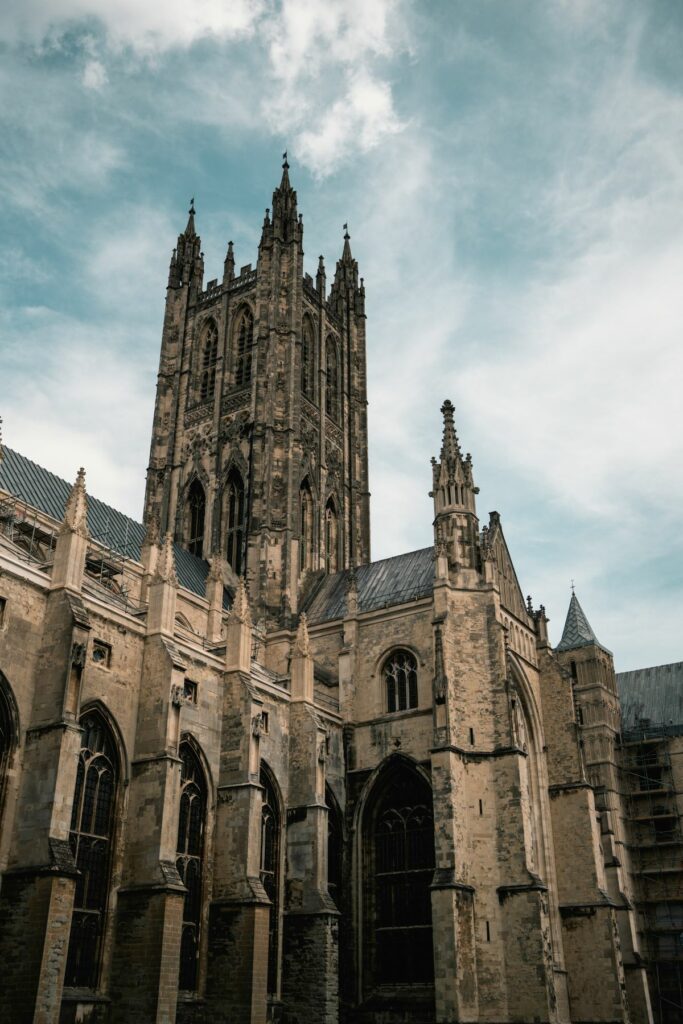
380 585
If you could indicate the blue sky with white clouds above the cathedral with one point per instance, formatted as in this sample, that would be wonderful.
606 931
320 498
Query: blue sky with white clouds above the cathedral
513 175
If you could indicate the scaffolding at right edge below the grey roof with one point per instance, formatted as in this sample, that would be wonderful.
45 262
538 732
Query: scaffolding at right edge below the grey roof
656 842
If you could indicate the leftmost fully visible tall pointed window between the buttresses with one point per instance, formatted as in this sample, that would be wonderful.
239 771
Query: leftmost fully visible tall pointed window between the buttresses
91 839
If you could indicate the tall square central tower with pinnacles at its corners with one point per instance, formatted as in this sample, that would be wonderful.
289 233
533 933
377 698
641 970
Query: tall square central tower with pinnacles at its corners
260 448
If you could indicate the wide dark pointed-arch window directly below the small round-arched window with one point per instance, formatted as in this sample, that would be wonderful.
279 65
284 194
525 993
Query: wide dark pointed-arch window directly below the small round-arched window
400 842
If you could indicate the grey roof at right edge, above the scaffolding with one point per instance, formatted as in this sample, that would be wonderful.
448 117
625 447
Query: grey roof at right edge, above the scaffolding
653 699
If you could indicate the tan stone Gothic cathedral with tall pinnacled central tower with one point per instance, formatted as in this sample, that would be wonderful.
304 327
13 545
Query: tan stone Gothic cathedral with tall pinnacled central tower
247 774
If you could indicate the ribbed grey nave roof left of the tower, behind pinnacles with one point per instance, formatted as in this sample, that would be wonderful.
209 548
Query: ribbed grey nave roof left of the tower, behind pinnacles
44 491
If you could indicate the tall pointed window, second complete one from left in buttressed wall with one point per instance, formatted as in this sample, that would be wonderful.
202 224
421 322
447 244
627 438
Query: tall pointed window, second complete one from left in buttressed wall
189 862
